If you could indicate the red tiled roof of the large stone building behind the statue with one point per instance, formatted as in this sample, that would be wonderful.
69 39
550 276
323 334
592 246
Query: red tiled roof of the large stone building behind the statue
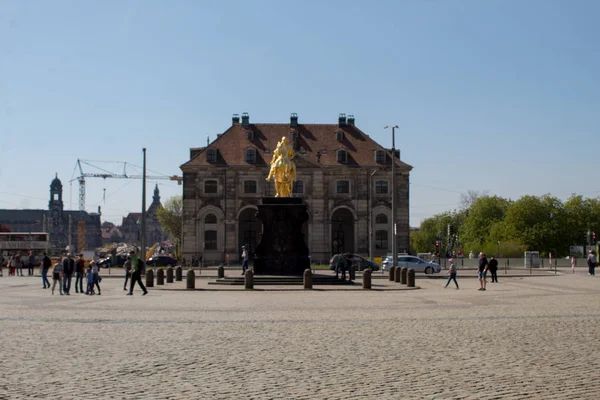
231 146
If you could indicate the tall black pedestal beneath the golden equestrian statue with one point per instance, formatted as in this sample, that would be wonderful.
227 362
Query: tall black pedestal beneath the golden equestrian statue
282 249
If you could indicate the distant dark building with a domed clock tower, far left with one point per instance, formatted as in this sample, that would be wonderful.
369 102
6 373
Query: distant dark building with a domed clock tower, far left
79 229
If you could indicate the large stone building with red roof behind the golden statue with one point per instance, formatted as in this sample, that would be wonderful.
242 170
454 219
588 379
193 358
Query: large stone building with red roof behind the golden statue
342 175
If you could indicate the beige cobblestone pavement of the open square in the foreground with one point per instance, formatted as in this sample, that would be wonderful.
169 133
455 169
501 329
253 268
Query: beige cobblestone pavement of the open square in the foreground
524 338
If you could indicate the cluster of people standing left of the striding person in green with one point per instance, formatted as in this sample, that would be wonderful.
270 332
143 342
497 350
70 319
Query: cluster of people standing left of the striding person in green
63 271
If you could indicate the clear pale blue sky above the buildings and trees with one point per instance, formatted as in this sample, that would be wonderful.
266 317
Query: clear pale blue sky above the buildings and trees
502 96
